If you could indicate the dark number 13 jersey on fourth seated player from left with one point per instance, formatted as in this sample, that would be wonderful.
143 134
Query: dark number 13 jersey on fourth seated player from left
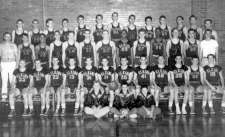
72 77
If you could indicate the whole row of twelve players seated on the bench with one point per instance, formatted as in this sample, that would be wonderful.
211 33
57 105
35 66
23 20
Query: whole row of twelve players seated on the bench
143 80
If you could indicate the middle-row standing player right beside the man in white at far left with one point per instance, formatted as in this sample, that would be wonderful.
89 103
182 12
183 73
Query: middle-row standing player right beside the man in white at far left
26 52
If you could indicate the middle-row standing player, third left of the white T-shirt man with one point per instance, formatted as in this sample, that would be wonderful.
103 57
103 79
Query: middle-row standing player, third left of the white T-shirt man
158 47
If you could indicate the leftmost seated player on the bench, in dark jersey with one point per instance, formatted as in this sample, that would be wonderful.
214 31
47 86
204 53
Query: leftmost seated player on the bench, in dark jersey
21 84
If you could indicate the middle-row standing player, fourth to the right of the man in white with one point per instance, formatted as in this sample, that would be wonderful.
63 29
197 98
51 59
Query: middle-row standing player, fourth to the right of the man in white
70 49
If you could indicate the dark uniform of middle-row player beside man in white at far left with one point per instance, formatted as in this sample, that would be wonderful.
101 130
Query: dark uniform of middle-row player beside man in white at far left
27 55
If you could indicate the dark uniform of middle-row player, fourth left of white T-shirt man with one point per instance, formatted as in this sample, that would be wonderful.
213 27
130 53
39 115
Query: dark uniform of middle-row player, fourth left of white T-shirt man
141 50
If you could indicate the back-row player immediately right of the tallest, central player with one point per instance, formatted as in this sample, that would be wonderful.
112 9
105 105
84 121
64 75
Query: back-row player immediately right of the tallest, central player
132 32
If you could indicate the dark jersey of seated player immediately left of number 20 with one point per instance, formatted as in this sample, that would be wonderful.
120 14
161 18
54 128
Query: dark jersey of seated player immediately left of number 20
106 75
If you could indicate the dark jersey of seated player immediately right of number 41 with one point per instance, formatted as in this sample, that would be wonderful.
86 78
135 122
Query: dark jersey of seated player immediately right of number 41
161 75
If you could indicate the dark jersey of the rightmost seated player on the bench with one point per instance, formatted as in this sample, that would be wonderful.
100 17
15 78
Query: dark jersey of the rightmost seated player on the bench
212 75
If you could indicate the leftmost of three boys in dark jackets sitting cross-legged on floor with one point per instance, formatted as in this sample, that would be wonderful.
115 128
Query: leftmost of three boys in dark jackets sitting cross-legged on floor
97 101
